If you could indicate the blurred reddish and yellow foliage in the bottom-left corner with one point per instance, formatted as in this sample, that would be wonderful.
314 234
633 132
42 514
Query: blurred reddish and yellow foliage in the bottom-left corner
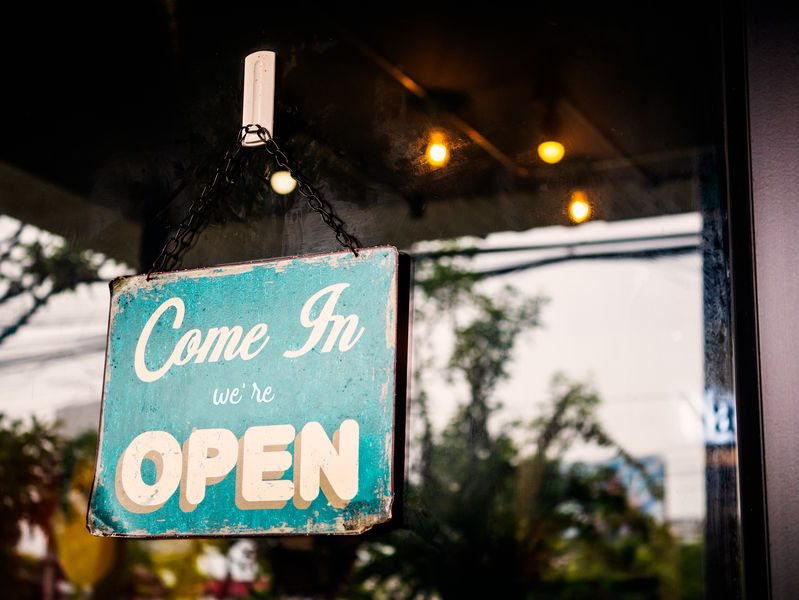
46 480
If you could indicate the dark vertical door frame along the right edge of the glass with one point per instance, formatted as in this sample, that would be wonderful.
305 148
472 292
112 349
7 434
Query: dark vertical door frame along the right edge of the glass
761 69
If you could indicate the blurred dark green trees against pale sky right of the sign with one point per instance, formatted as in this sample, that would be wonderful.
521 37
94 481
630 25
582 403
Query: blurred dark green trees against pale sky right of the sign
490 516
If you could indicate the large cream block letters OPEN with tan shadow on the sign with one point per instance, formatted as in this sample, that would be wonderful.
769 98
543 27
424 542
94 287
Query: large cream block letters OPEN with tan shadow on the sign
260 457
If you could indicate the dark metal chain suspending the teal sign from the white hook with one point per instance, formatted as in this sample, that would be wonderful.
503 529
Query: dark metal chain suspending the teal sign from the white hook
227 174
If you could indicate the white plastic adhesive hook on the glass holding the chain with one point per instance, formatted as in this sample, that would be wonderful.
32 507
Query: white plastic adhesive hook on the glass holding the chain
259 94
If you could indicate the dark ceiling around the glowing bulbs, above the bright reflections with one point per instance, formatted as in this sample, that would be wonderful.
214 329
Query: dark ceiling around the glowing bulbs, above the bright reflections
117 113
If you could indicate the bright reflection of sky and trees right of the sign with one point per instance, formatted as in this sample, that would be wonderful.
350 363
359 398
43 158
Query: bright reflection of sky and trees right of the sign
558 405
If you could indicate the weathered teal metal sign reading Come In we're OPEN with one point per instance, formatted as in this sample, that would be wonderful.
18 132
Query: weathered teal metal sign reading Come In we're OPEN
254 398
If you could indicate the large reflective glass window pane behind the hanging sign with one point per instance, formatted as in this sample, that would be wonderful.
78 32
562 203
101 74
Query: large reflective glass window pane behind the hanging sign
555 175
